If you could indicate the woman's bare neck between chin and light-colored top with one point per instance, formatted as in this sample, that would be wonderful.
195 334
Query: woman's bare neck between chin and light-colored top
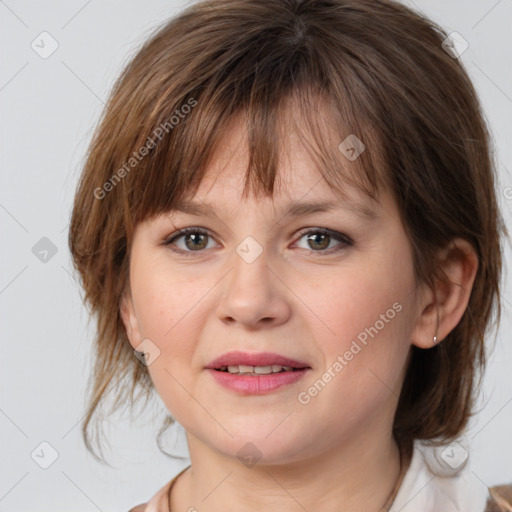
360 475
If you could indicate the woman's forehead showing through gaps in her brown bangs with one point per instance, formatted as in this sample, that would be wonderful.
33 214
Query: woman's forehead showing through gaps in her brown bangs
301 187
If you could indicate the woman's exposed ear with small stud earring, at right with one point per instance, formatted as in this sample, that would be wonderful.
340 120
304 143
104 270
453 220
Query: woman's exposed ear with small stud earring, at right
440 309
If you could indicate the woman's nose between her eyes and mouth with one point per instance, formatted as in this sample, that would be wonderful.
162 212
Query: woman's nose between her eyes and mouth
253 295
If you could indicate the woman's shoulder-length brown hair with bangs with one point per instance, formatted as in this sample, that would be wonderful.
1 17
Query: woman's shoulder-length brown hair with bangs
385 77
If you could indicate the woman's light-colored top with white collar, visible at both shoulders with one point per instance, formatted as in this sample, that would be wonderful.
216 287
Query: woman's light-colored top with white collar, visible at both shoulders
436 479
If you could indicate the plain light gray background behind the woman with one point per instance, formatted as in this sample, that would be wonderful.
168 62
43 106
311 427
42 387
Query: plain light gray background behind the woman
48 110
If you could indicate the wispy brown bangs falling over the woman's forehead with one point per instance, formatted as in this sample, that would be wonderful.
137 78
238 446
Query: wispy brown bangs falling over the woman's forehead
272 108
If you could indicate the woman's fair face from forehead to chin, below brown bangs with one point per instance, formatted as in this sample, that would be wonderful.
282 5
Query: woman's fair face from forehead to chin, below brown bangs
262 281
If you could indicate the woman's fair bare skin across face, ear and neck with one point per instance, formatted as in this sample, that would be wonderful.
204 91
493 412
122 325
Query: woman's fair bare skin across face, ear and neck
299 299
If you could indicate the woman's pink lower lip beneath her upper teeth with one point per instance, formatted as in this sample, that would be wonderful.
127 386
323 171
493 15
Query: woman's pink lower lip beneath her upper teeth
257 384
